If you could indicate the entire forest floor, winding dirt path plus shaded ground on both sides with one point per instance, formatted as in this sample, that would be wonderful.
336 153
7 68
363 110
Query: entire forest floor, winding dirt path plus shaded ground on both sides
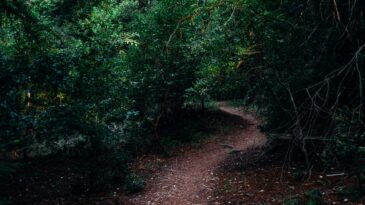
233 164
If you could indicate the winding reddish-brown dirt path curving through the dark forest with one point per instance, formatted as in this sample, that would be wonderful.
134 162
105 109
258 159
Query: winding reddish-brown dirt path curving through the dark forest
189 178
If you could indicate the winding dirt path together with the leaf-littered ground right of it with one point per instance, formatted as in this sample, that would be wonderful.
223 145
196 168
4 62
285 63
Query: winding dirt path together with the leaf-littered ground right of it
239 167
